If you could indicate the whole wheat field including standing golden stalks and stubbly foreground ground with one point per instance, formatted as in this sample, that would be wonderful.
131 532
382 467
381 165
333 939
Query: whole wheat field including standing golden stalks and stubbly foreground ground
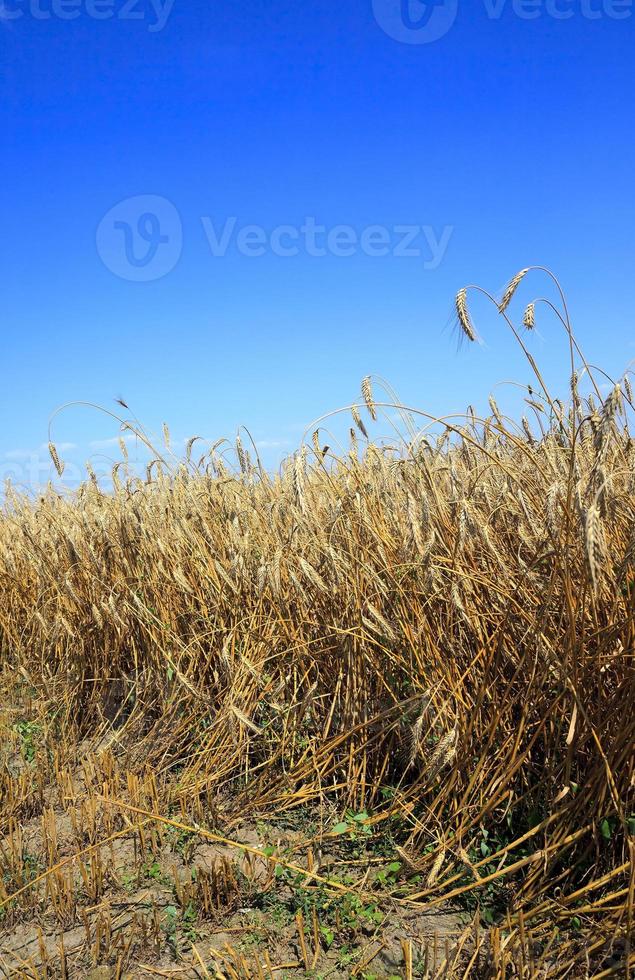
371 715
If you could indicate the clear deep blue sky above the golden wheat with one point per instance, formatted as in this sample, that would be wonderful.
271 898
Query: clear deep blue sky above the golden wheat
505 141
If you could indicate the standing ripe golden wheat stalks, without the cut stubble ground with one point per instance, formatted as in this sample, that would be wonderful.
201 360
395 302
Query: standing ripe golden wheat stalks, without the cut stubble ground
443 634
